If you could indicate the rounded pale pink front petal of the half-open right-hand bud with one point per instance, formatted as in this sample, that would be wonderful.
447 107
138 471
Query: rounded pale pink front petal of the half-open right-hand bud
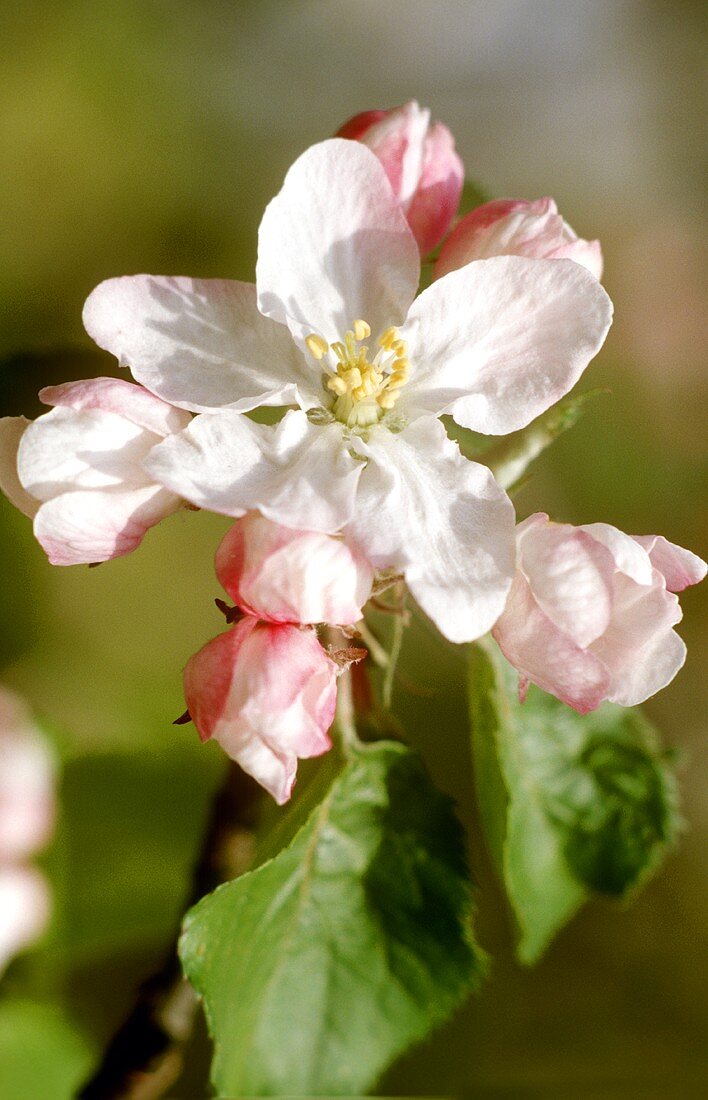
571 577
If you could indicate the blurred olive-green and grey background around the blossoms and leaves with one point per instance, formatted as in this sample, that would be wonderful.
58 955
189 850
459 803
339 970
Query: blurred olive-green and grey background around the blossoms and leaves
148 136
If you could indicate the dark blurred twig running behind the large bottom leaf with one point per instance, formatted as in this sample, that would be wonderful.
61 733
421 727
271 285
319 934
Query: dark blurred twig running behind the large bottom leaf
146 1057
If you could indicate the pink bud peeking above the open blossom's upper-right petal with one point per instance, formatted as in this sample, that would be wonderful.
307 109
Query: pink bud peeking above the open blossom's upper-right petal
517 228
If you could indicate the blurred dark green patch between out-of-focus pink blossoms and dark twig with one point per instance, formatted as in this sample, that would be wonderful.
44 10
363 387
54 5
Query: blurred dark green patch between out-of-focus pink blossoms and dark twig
128 839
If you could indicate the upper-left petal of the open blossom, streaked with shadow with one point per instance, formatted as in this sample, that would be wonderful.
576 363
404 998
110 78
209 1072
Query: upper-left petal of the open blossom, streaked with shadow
201 345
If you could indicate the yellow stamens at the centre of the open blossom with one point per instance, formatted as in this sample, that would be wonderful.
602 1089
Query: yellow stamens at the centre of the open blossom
363 389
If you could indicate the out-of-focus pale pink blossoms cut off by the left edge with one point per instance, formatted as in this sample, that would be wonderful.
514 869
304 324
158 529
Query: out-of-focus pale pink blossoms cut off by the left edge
27 821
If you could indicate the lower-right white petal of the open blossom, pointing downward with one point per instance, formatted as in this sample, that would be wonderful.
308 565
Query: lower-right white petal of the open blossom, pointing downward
441 520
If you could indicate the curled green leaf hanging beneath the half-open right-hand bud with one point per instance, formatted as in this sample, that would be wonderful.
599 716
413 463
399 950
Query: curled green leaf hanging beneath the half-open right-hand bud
571 806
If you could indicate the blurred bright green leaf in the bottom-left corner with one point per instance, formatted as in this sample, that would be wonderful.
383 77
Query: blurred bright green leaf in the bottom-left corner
42 1053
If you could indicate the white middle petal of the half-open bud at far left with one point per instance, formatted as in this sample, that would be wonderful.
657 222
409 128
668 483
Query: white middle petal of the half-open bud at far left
91 449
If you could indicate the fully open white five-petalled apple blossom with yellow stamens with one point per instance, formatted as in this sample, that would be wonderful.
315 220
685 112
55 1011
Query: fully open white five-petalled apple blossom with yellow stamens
495 345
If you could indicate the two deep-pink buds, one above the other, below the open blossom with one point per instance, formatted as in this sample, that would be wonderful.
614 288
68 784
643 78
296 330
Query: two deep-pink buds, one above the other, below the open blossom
267 689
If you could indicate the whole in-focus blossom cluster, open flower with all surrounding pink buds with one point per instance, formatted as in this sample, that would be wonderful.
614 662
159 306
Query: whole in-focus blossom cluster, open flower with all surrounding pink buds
359 477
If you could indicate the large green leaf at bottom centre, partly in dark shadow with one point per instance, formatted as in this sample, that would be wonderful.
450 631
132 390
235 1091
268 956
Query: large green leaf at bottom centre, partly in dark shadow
320 967
